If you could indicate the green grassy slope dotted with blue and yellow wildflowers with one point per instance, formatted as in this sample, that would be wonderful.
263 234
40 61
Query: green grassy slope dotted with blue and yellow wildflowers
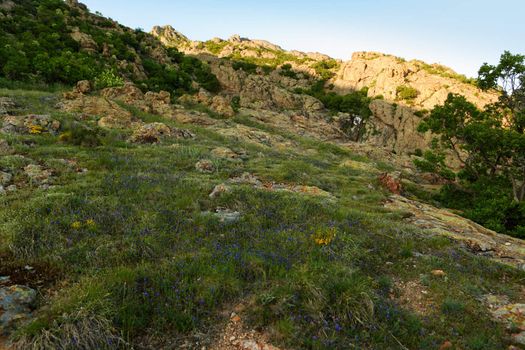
132 253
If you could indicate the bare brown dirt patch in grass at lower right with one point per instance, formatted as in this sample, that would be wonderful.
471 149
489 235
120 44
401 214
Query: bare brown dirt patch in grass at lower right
413 296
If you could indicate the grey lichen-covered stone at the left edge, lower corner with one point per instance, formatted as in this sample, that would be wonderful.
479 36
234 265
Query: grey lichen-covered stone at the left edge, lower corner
16 303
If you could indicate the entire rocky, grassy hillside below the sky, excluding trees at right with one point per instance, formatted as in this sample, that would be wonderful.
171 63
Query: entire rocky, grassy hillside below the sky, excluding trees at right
230 195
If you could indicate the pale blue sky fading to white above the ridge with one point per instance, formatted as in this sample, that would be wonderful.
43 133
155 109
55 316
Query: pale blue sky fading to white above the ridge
461 34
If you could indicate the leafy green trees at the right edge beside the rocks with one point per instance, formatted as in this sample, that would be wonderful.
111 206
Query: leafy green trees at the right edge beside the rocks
490 145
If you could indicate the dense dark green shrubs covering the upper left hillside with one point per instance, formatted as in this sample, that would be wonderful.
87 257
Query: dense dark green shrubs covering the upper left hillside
36 44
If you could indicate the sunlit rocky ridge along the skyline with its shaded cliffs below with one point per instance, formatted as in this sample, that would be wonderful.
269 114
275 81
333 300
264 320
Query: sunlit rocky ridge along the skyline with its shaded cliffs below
400 90
